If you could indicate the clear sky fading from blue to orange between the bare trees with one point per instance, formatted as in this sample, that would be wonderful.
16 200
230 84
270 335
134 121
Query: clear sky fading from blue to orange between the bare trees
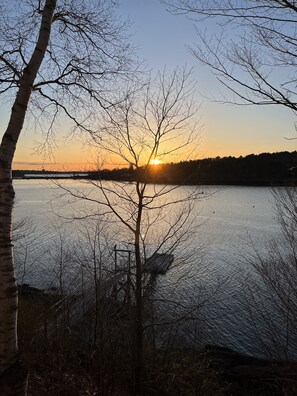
161 40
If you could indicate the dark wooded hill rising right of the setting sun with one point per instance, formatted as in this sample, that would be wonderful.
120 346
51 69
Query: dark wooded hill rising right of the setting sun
263 169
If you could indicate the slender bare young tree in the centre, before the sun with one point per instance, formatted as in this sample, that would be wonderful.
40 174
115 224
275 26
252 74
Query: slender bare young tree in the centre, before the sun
155 123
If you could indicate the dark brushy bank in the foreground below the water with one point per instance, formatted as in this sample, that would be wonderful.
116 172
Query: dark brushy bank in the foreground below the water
63 361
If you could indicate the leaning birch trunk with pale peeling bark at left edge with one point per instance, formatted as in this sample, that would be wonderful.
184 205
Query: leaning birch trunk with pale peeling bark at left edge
13 377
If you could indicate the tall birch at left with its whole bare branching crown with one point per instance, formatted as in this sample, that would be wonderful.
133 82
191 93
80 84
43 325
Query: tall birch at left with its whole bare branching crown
58 59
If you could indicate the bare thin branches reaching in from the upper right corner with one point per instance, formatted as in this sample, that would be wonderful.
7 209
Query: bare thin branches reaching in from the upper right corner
251 49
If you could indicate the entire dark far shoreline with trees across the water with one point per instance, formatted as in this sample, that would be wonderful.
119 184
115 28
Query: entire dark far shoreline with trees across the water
259 170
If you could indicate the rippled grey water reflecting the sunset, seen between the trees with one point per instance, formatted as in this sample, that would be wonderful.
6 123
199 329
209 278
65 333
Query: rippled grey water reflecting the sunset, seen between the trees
231 220
